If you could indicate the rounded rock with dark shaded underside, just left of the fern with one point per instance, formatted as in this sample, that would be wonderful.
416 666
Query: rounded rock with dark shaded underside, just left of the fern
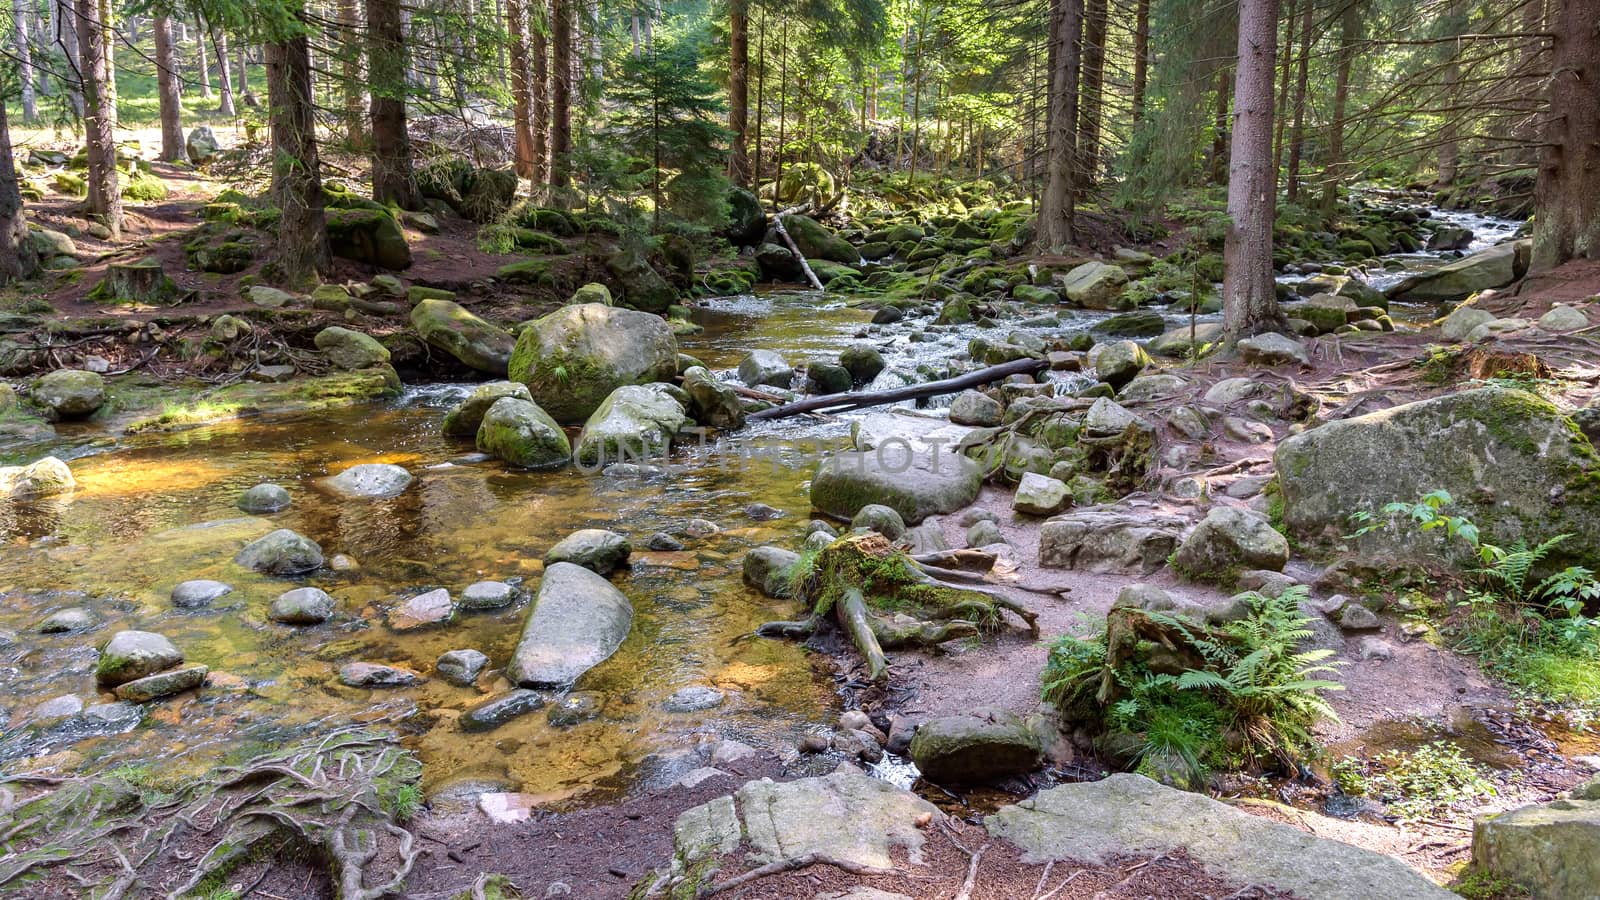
985 747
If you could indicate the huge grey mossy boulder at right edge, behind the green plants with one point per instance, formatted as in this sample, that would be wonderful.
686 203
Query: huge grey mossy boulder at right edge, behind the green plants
1511 462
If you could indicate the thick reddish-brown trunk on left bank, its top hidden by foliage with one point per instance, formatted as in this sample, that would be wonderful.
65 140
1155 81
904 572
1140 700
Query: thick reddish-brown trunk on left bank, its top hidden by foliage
297 172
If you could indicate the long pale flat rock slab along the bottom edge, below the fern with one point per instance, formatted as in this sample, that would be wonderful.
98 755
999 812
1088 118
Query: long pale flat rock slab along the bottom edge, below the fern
1132 814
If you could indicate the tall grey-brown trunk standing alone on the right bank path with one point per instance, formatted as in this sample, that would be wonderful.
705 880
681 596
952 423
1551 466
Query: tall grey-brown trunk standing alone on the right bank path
1250 302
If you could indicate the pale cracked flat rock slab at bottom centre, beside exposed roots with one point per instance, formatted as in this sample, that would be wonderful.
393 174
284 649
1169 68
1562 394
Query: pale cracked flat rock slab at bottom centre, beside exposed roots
844 816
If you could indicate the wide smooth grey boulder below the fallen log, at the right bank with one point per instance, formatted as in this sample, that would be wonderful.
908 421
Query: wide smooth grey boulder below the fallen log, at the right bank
913 484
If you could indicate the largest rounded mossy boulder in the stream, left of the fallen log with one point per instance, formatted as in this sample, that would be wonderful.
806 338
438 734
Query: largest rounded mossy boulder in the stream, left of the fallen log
575 358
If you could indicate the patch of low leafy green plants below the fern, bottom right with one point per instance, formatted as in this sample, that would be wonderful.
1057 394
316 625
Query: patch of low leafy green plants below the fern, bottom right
1417 784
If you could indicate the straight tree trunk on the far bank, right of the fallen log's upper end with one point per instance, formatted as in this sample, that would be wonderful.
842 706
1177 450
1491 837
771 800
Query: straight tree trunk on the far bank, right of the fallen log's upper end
1055 215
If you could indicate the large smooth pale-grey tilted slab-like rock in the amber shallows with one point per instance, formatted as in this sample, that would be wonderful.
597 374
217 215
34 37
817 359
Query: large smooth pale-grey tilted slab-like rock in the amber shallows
577 624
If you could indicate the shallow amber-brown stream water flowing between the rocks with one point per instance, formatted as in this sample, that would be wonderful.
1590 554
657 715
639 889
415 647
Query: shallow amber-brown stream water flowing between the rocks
158 510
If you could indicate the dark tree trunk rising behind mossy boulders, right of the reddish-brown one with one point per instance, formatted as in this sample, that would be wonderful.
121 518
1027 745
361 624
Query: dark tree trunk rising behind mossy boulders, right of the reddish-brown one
386 63
